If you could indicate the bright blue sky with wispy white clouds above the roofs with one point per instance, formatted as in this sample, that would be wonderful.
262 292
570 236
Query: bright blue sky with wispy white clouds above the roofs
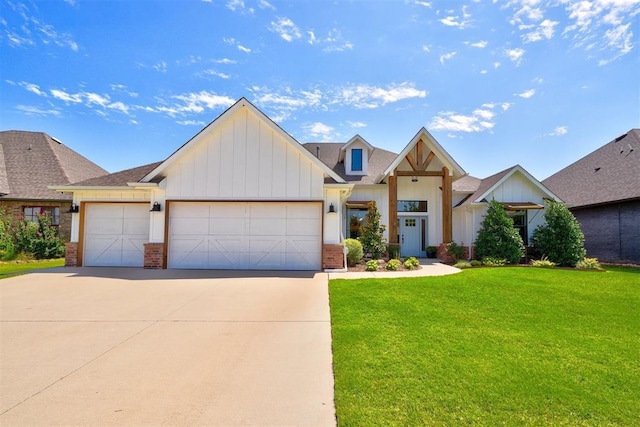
498 83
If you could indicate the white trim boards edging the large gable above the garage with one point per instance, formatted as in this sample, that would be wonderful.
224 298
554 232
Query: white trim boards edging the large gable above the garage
241 103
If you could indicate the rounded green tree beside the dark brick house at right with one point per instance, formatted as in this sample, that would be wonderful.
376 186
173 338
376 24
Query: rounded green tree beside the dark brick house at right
561 239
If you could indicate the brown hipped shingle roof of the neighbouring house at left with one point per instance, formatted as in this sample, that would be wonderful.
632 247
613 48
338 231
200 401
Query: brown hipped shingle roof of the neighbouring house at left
31 161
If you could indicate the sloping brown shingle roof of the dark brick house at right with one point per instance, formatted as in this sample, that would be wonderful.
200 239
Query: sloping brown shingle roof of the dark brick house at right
609 174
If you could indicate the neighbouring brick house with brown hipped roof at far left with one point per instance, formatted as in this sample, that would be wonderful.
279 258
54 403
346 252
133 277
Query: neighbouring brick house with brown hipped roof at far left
29 162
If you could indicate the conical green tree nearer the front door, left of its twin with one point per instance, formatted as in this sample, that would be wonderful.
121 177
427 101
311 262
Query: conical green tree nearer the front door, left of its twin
497 237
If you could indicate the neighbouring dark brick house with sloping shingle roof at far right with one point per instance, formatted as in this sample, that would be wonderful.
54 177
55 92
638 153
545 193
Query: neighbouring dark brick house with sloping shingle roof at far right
602 190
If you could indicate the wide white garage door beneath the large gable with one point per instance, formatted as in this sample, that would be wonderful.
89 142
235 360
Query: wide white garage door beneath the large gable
245 235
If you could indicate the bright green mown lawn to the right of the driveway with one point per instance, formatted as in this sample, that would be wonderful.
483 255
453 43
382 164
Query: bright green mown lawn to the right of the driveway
514 346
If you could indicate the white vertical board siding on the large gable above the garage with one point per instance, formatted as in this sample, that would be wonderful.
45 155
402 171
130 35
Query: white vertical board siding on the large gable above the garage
244 159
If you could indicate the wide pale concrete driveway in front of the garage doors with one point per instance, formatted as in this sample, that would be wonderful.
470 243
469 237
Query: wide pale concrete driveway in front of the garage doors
109 346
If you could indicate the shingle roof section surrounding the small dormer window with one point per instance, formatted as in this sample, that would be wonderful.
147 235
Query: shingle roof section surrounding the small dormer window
330 151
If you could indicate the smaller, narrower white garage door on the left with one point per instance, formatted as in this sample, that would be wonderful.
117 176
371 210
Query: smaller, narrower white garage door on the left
115 234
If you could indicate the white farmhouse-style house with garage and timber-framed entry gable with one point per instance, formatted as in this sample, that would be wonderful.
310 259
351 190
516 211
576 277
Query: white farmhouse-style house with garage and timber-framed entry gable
244 194
